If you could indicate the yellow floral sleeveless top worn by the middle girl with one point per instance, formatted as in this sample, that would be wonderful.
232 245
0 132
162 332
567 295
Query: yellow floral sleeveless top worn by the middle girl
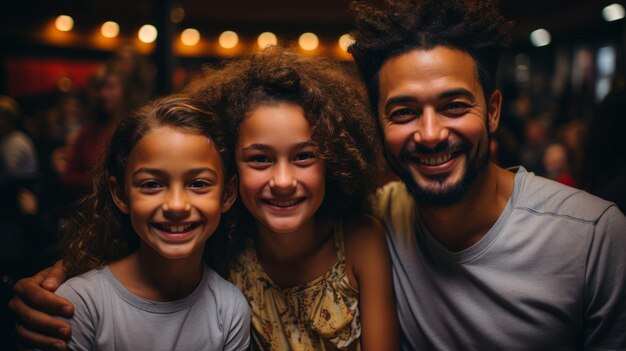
320 315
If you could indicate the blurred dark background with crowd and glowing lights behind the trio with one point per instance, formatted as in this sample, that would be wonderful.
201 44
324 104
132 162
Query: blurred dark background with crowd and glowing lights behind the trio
71 69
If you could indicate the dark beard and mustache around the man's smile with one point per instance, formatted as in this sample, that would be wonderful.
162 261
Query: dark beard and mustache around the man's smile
443 195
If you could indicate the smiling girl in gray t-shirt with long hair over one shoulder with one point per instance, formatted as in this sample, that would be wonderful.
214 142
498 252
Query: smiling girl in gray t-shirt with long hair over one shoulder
140 235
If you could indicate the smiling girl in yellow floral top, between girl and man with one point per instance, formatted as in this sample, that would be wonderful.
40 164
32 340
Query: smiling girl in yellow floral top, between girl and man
314 268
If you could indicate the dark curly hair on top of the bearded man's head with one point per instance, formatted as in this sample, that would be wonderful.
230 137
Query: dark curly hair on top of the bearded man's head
395 27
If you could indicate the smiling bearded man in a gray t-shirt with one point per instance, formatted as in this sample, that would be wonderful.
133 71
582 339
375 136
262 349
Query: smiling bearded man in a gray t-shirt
484 258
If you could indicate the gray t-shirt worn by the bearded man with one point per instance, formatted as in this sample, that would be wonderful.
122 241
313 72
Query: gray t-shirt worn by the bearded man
549 275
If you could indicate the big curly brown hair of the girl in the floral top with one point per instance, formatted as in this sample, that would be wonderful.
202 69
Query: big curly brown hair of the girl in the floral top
334 104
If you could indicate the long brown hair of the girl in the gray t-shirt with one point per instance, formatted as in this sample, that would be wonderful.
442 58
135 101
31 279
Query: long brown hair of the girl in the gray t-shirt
97 232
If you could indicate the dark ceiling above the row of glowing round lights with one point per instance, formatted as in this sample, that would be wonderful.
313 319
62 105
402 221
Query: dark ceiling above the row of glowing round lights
566 19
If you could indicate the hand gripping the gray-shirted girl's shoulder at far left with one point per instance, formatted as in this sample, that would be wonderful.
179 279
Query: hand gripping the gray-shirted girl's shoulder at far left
34 303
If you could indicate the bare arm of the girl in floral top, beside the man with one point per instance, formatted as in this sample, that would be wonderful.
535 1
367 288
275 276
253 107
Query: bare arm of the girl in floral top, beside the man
368 261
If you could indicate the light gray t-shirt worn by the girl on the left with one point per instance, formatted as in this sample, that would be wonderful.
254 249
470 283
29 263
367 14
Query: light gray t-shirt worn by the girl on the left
215 316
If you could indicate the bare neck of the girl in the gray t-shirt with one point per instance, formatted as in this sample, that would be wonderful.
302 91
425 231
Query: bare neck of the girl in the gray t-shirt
151 276
